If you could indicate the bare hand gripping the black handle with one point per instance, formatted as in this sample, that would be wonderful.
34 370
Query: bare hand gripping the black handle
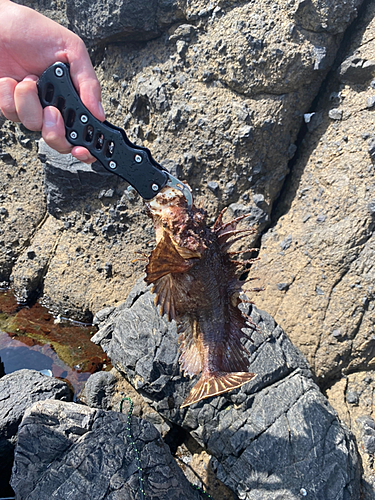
29 44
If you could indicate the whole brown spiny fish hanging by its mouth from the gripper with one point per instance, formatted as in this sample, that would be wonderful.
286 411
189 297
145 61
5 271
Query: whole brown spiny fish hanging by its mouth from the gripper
196 284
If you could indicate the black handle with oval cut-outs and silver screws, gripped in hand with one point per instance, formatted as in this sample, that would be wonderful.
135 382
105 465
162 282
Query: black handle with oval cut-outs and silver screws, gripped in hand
107 143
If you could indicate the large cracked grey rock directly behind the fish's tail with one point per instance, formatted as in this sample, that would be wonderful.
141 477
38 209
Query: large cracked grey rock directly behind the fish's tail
277 436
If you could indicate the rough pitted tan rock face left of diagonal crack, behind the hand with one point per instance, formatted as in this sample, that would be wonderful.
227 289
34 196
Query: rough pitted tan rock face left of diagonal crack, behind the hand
218 97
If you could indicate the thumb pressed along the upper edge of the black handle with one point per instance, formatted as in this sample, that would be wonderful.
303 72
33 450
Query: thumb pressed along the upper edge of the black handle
85 80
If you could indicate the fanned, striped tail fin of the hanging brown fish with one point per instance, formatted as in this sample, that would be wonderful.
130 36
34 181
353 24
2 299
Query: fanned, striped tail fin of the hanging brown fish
216 383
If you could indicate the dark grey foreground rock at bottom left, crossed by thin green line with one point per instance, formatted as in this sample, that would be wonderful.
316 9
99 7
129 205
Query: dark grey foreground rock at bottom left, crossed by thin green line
69 451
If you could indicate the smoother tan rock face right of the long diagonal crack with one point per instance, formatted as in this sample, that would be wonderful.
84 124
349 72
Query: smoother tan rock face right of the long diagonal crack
326 209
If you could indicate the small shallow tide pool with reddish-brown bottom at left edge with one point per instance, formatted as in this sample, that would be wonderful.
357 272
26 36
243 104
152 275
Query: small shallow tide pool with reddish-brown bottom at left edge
30 337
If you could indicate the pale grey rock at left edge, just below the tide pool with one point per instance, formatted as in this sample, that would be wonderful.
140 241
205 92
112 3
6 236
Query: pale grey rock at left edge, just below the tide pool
18 391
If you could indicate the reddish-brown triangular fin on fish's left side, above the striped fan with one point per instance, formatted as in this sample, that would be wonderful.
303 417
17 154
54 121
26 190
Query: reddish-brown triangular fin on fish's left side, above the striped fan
165 259
